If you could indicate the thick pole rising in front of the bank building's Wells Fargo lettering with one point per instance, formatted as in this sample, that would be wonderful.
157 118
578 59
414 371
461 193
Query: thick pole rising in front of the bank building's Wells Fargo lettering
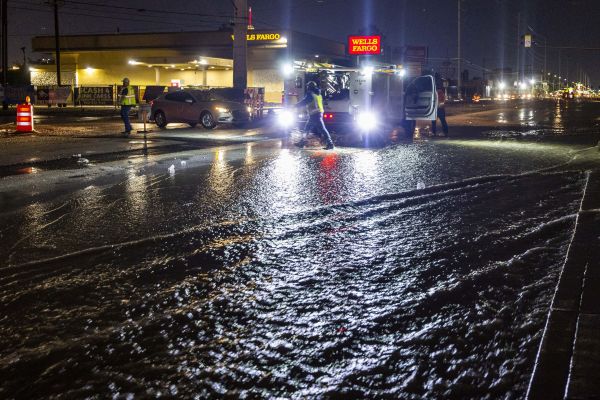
240 44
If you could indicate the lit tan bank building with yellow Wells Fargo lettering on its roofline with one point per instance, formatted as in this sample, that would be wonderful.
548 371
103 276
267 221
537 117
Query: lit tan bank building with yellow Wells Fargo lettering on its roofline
180 58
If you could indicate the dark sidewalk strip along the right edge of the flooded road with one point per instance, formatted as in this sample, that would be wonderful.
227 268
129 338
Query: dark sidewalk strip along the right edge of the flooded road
568 361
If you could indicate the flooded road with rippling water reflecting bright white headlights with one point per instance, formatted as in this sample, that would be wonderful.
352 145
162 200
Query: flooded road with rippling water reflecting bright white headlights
420 270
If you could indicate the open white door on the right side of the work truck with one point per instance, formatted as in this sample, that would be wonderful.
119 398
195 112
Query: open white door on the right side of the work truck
420 99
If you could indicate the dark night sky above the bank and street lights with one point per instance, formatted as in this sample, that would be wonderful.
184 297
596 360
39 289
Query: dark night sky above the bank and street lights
489 26
